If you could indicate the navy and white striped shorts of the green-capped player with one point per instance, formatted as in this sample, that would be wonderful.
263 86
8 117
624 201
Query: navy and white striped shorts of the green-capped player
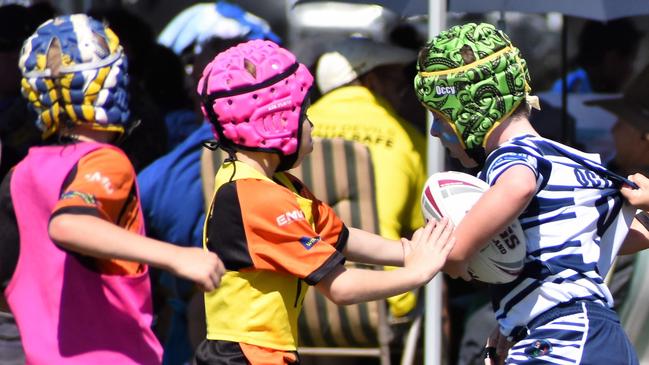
578 333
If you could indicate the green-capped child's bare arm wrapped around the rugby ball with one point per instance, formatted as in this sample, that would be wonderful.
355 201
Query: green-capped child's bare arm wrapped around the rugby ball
494 211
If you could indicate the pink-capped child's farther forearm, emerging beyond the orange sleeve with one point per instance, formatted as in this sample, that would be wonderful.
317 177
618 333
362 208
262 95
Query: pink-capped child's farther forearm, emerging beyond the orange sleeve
370 248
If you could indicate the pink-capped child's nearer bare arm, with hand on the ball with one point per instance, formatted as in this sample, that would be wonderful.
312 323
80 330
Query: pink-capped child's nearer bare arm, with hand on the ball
427 253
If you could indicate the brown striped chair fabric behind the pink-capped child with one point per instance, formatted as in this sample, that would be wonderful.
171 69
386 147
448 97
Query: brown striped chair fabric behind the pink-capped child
340 174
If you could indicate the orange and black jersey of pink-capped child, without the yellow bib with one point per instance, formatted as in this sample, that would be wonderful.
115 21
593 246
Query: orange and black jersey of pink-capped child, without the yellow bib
257 225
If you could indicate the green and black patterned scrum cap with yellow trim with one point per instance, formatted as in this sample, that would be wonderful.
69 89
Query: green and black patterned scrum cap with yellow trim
474 78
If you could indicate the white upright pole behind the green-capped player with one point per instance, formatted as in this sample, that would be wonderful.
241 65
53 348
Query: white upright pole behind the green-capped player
433 306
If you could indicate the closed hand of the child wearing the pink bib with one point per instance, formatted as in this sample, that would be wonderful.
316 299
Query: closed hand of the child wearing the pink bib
203 267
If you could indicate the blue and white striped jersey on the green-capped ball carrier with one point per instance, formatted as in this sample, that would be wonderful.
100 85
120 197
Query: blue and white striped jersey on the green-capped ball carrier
574 227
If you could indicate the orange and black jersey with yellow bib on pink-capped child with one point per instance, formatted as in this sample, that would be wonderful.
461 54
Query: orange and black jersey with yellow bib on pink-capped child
274 238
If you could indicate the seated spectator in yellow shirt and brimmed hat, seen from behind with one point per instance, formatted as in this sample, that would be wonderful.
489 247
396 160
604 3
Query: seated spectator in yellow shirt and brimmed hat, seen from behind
365 85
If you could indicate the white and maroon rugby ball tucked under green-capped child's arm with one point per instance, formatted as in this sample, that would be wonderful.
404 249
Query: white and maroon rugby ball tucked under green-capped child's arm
451 194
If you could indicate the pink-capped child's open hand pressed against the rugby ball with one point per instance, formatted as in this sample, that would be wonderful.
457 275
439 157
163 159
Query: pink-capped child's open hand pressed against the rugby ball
429 247
